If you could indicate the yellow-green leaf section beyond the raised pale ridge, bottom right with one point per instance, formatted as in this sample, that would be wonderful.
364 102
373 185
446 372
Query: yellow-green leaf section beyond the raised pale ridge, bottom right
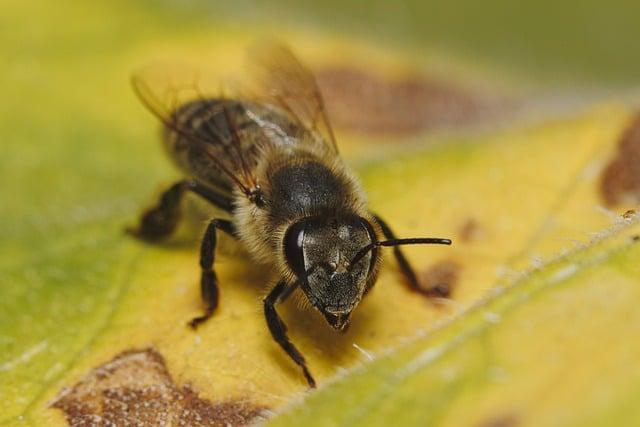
556 346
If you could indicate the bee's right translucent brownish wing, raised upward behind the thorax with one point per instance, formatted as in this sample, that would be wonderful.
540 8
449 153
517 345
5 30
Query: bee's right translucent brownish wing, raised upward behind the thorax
280 79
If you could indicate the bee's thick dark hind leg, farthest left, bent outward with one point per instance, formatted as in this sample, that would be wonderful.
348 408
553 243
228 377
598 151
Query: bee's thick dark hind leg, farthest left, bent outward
159 221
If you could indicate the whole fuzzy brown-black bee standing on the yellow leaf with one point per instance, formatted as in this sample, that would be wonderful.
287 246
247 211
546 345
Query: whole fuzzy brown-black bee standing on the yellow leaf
270 161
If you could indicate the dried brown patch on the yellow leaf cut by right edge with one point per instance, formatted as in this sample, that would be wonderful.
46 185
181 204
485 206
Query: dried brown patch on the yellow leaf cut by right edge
620 181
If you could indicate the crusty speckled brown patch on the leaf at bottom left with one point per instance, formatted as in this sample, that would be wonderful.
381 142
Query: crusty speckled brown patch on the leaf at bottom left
135 388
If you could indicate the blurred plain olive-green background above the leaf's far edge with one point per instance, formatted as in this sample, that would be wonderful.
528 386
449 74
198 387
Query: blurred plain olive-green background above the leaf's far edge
566 42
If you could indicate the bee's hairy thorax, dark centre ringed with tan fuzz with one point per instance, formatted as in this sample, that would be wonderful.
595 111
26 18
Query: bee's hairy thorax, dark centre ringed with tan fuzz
296 183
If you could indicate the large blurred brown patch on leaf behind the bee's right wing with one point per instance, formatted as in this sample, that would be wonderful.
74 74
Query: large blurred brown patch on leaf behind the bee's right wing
359 100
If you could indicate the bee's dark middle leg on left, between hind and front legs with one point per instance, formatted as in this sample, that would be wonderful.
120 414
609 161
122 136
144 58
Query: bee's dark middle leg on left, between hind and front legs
208 279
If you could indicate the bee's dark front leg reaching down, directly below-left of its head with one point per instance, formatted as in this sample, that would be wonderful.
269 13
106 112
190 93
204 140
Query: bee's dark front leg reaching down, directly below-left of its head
279 330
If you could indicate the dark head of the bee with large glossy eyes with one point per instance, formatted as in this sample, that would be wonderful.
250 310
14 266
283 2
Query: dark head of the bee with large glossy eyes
320 251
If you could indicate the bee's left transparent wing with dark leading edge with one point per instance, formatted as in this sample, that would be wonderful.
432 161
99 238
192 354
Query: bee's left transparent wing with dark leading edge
163 89
